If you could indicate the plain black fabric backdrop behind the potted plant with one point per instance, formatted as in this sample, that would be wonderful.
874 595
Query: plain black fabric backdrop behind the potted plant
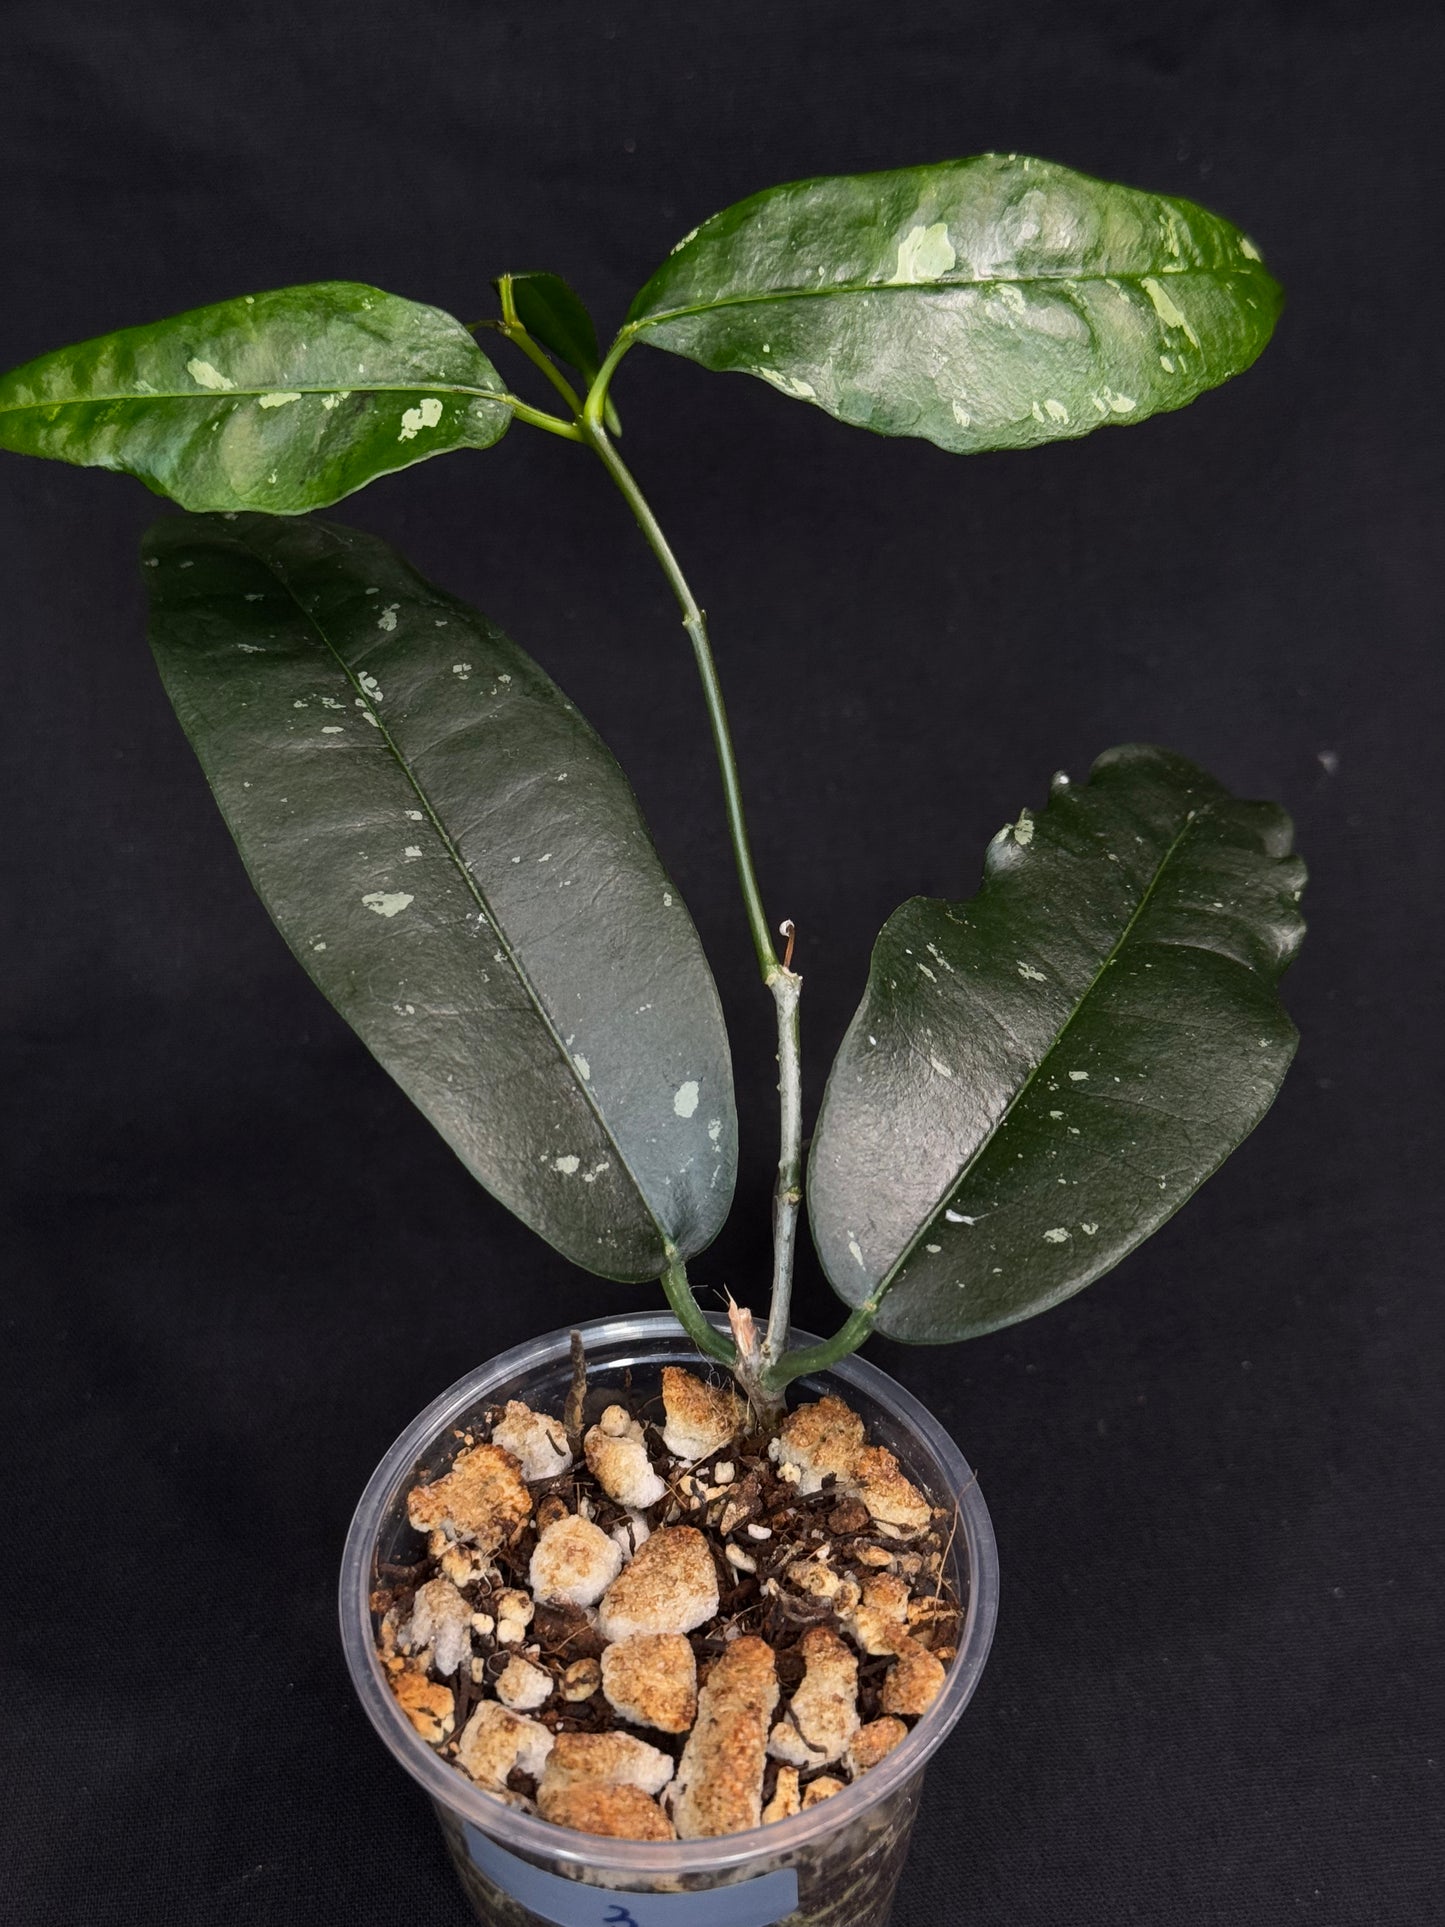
240 1261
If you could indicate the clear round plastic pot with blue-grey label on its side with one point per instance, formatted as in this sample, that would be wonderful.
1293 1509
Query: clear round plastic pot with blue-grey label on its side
833 1866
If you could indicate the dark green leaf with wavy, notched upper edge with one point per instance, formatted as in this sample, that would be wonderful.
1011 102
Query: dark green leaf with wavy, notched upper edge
1041 1076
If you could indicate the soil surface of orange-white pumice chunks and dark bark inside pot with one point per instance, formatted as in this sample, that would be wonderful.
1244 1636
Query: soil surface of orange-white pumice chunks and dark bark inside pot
745 1645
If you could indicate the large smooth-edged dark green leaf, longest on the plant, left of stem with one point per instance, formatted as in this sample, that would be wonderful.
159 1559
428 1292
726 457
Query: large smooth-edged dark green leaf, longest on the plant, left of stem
463 870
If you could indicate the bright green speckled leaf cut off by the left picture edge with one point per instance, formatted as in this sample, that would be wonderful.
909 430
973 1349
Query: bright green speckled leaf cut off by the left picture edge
280 402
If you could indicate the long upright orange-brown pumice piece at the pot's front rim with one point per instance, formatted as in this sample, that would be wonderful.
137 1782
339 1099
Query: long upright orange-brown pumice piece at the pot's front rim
720 1785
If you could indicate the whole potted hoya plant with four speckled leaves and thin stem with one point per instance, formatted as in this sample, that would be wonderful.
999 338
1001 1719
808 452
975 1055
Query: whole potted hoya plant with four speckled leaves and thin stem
1036 1078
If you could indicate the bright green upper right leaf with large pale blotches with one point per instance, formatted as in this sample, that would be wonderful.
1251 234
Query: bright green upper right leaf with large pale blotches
985 304
